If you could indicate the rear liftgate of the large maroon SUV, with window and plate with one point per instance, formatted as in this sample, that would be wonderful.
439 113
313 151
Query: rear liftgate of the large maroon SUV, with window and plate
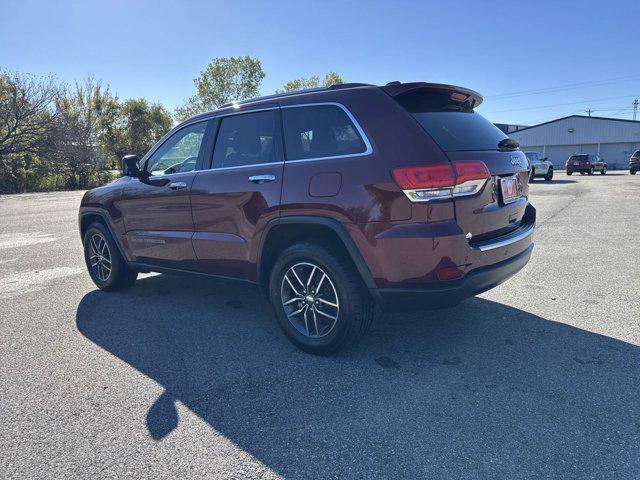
465 135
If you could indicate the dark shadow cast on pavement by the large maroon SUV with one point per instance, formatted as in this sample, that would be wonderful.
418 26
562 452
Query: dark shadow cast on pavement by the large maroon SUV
479 390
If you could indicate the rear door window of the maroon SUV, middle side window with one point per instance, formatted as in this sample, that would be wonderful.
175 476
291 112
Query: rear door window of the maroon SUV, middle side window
246 139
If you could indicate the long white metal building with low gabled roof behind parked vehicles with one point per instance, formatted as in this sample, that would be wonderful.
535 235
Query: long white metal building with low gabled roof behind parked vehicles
612 138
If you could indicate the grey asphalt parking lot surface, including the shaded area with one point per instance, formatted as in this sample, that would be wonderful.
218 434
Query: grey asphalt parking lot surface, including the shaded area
191 378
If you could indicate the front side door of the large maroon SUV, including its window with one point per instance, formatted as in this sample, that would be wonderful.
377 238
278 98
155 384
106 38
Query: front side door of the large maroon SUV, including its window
157 212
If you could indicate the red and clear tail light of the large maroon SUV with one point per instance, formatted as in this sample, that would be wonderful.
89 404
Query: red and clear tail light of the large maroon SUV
441 181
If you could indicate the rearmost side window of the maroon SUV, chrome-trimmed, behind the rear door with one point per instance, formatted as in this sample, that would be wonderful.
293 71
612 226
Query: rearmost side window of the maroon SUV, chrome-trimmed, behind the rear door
319 131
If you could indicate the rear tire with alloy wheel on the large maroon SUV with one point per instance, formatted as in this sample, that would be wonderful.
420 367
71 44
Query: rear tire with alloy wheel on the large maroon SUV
342 324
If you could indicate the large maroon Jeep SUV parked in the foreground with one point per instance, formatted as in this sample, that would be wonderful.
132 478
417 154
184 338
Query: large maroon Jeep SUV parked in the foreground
332 200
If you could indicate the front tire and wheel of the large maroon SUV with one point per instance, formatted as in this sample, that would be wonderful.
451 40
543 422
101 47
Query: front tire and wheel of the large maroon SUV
100 246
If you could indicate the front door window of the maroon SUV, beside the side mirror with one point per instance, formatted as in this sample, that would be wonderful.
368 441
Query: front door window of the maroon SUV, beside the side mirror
179 153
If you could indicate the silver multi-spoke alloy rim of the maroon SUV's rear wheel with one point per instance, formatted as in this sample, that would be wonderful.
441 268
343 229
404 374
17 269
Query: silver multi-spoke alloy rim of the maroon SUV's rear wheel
310 299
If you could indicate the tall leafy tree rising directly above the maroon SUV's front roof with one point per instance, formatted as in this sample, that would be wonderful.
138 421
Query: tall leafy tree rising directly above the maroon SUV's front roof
223 80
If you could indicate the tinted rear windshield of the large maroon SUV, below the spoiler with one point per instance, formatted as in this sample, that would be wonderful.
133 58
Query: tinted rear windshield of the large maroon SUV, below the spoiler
453 126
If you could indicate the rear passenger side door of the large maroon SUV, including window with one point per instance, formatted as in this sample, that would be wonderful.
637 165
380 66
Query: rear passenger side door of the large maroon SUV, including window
239 193
